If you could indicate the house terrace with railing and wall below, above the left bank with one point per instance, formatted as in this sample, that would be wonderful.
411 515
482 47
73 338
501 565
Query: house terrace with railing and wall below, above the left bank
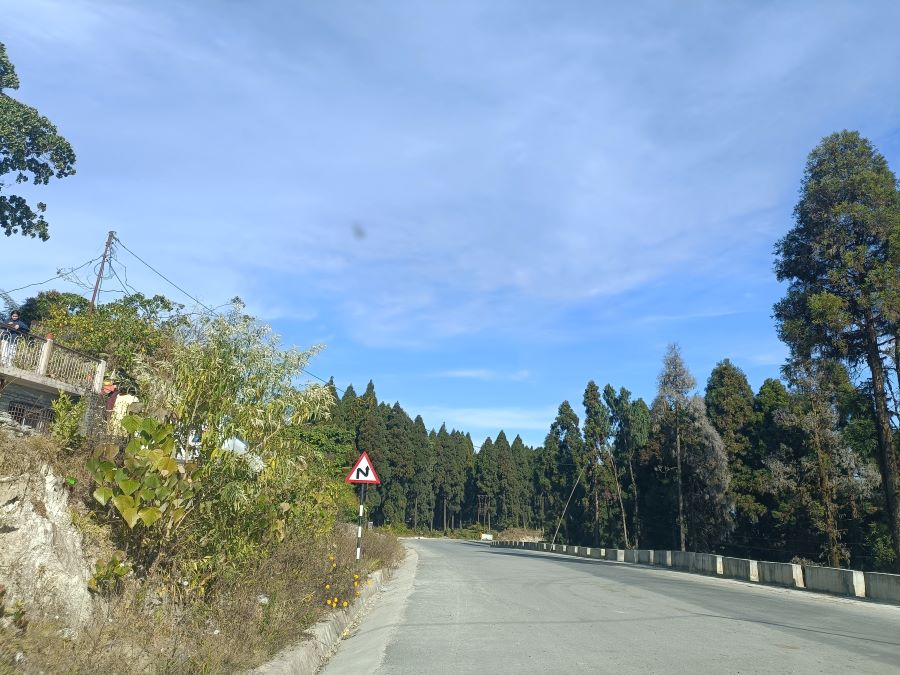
33 370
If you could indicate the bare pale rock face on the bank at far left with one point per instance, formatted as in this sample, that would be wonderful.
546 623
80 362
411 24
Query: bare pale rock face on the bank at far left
41 561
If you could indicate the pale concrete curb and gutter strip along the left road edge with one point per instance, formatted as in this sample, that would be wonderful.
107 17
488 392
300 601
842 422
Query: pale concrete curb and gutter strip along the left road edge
311 654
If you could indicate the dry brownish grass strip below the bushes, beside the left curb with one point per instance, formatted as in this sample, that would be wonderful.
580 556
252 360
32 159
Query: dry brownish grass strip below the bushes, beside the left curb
150 627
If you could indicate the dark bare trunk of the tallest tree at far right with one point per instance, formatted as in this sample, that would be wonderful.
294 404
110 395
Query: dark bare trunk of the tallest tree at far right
887 457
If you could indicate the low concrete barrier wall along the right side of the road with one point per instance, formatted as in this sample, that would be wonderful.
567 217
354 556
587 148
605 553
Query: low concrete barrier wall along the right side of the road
872 585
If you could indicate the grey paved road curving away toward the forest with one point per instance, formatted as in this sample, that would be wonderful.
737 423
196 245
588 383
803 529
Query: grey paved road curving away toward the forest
467 608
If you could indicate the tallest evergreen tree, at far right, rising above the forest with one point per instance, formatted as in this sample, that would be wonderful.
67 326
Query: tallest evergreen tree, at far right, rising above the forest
843 301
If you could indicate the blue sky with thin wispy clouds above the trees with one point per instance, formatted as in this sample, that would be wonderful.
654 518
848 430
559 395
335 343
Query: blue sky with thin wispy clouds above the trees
479 205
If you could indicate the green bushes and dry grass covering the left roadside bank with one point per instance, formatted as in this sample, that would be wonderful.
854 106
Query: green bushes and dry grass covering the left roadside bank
215 519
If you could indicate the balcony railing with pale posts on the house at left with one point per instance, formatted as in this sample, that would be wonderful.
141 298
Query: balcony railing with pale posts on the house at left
42 357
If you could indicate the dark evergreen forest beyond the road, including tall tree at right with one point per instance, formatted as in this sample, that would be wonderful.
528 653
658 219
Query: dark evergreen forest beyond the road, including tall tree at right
804 468
